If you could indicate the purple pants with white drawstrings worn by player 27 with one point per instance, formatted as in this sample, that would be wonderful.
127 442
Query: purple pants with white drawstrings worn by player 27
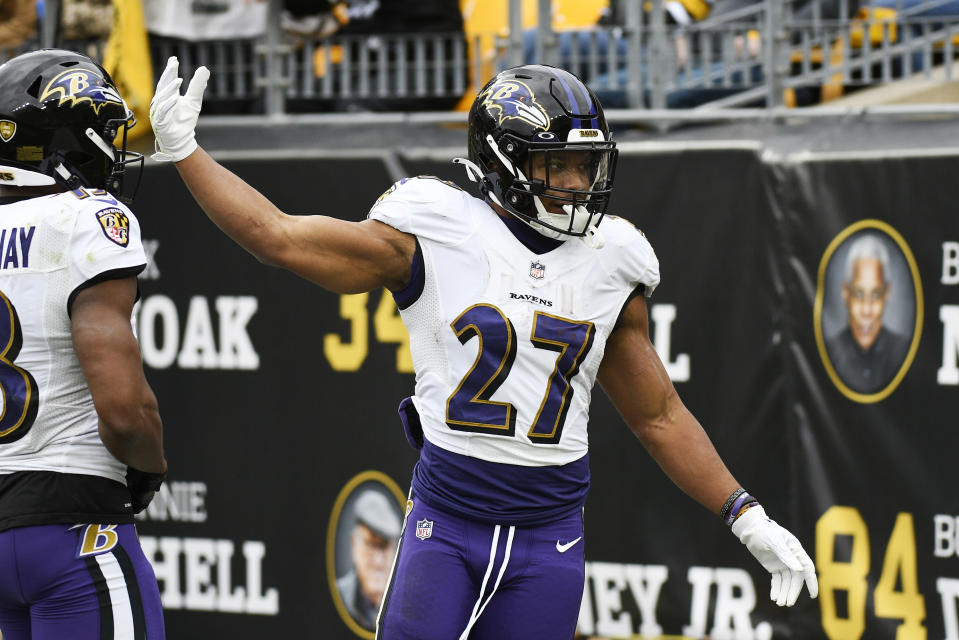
457 578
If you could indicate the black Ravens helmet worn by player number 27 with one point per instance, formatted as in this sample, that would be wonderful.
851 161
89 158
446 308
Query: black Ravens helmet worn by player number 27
525 116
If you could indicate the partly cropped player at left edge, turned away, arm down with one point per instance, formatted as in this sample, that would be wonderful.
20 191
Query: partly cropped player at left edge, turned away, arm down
80 435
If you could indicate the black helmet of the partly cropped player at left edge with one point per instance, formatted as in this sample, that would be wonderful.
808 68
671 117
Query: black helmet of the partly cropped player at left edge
59 114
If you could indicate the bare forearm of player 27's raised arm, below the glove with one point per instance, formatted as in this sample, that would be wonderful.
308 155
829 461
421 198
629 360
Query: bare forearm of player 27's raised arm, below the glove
242 212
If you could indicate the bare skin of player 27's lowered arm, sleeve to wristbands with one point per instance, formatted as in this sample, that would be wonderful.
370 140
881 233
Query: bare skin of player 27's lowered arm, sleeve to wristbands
635 380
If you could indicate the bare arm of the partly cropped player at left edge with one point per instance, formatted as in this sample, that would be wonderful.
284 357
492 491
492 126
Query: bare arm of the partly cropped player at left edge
103 339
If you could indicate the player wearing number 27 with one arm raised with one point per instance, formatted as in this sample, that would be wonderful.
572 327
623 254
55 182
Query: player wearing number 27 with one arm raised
516 303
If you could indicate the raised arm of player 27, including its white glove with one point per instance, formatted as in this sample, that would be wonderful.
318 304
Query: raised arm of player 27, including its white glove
341 256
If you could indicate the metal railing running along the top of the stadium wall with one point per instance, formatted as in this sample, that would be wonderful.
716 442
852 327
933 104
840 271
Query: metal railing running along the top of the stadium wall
760 56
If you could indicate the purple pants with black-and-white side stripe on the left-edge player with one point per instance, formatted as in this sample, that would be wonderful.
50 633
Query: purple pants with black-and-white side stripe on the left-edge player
90 582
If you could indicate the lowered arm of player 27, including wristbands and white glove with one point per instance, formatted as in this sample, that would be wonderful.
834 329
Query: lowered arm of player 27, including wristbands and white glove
637 383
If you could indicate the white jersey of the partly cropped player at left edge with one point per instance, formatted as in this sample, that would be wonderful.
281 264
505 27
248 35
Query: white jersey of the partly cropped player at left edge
50 248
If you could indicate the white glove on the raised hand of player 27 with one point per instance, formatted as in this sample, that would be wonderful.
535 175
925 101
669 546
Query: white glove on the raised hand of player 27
173 116
